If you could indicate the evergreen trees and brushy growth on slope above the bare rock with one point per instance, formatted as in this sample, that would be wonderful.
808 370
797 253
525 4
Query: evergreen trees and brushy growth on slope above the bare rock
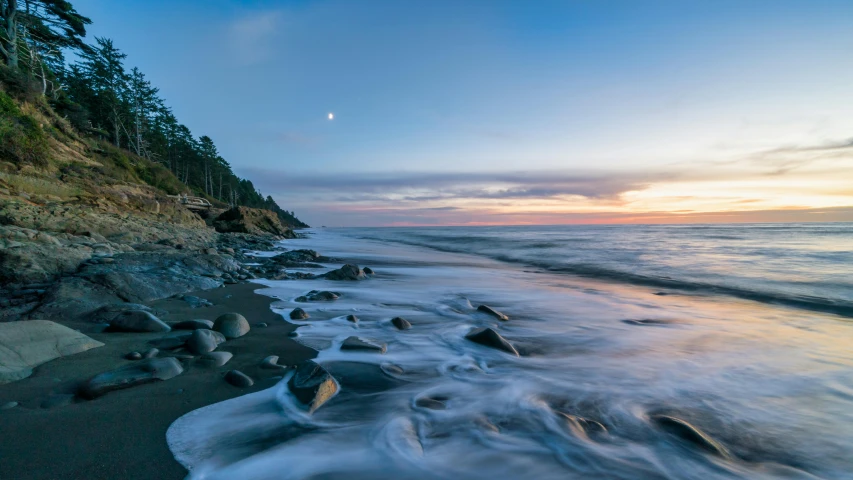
56 114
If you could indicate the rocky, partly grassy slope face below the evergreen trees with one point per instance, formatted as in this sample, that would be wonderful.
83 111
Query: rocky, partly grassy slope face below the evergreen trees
83 224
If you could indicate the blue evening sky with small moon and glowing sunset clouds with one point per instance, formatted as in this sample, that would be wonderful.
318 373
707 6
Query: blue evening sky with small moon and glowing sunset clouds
512 112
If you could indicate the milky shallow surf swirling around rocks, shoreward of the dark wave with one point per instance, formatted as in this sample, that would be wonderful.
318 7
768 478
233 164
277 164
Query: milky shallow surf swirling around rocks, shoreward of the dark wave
772 386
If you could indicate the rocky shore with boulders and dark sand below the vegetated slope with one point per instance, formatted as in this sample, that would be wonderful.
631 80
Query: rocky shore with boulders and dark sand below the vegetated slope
113 325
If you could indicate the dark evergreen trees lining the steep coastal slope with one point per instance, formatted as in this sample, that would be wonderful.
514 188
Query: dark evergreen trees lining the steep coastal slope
100 97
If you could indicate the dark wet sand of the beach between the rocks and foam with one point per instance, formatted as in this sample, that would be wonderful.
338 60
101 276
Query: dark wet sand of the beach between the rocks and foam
123 434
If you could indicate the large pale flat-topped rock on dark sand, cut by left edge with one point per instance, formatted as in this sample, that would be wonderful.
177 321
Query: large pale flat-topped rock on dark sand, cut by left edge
26 344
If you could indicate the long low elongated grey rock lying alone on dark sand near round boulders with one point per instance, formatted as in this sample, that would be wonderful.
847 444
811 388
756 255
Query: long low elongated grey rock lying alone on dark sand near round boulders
139 373
